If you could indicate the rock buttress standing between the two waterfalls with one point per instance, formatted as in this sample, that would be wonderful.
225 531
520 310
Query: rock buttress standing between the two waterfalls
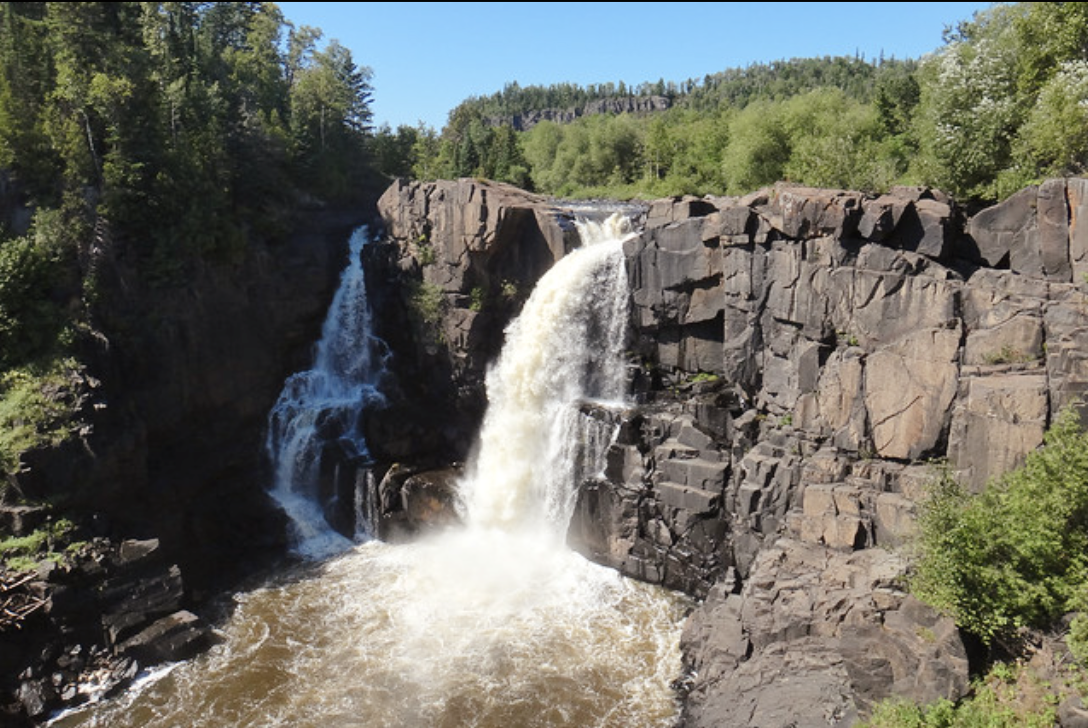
461 260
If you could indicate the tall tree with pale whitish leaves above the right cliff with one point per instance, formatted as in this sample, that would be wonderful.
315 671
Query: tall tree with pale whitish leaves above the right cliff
1000 103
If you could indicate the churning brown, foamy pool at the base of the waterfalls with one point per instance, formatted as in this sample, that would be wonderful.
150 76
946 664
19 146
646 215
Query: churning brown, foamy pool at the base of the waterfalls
479 630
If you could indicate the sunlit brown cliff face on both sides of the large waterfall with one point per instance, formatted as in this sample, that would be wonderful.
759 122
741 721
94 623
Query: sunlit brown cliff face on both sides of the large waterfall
802 355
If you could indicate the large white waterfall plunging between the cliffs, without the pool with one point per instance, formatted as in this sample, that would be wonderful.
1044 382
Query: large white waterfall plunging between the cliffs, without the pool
566 348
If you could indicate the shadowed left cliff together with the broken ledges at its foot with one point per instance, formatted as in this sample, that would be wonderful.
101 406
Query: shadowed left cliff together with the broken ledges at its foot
168 476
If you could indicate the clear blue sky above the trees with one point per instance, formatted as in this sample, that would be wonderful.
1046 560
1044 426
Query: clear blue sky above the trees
429 57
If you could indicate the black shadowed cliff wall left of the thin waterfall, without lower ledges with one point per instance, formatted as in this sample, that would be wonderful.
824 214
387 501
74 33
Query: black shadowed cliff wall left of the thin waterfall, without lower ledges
187 374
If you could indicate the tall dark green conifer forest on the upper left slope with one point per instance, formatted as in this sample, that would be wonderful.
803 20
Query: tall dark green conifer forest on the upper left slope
183 125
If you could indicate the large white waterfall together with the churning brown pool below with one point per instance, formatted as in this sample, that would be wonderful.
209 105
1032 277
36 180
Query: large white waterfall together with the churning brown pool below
493 625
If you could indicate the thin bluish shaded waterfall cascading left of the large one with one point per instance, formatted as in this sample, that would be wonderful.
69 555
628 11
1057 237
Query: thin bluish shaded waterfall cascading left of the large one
318 415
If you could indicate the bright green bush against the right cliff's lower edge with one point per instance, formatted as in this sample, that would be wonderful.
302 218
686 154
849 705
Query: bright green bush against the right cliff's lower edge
1015 556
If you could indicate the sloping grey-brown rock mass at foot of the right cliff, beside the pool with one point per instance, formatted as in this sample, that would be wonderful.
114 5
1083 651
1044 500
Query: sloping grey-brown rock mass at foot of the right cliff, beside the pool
815 638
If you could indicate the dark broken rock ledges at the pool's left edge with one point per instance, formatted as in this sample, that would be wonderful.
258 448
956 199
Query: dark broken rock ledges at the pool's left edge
86 627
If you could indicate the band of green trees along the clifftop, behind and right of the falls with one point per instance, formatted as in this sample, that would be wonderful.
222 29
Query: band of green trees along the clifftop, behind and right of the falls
1002 105
